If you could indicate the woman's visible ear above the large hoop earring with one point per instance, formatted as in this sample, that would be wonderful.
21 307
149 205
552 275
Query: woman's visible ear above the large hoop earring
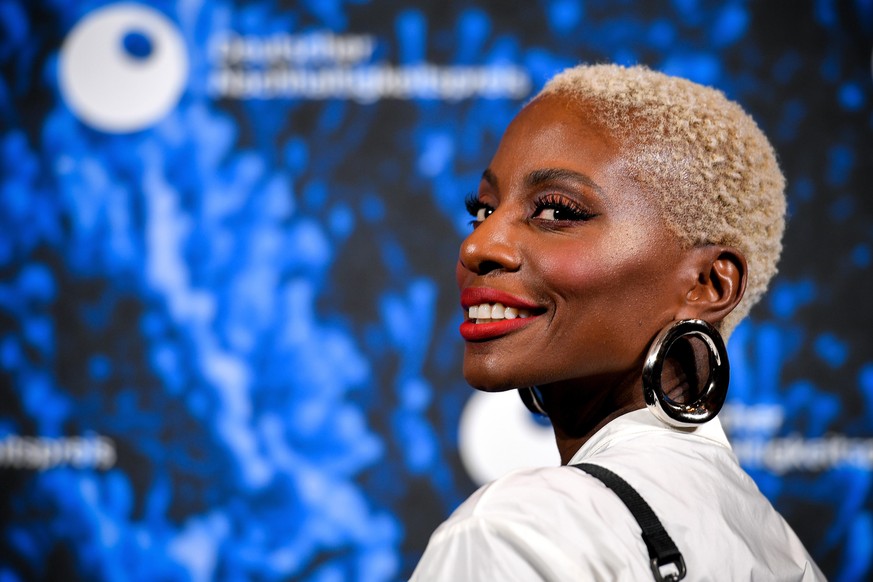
719 286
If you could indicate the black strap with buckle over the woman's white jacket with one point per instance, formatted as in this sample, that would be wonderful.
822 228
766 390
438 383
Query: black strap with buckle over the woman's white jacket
662 550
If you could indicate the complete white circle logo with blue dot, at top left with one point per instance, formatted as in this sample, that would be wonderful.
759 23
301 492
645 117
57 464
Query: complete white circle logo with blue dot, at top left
122 68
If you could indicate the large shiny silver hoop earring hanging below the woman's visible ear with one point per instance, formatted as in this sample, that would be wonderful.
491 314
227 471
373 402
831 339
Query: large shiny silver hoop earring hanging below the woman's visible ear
711 398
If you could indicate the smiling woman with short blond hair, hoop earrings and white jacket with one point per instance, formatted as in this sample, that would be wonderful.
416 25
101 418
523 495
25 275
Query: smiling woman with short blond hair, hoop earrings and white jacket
622 210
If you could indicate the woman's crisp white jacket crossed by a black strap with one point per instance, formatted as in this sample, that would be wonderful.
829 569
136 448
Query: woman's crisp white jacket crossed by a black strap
559 523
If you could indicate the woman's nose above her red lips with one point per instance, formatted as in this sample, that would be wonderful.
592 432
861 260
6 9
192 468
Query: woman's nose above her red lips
491 246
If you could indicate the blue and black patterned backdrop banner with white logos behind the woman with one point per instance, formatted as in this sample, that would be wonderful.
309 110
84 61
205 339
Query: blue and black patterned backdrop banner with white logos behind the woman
228 230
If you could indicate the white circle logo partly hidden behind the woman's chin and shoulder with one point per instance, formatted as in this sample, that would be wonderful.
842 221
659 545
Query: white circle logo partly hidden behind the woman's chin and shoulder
497 434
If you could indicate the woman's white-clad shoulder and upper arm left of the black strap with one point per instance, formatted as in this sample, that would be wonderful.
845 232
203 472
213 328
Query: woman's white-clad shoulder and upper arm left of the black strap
541 523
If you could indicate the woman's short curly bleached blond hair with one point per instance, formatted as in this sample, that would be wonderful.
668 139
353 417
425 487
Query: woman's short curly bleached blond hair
703 158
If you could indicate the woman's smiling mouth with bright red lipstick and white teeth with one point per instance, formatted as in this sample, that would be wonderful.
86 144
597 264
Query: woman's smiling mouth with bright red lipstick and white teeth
492 313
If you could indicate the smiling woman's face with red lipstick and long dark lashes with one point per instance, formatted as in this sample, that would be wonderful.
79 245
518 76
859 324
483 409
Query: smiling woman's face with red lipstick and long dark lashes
570 244
